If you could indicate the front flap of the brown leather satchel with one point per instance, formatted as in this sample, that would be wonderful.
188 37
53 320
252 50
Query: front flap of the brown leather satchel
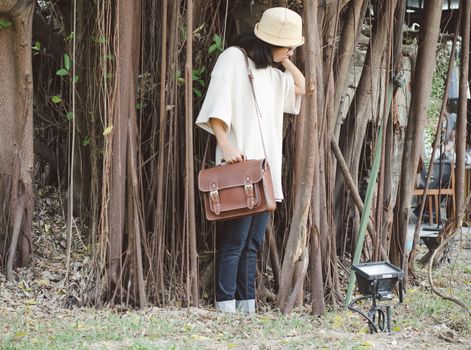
230 175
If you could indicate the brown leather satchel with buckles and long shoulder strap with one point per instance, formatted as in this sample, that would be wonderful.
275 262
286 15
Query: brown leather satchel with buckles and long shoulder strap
240 189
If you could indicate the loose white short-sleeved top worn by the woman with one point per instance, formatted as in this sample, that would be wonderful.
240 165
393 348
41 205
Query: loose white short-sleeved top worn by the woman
229 98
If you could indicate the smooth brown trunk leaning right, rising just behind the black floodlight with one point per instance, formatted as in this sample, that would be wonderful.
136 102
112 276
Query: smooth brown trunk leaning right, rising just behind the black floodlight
421 87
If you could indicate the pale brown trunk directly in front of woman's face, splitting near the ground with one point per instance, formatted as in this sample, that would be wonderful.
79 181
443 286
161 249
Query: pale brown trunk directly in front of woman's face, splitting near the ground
294 261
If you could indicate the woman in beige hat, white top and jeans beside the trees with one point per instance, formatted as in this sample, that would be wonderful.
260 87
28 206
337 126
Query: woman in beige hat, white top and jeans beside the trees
229 112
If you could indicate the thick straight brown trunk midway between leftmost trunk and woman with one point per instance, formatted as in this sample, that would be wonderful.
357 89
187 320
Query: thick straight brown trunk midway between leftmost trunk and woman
123 118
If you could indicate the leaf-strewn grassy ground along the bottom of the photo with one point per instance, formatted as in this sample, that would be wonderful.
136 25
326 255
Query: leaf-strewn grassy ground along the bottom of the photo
424 319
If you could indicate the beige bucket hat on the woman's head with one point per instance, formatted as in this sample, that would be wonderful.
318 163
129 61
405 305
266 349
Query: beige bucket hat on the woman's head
281 27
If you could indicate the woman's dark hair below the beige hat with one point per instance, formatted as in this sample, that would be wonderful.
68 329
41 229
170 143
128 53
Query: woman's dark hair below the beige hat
259 51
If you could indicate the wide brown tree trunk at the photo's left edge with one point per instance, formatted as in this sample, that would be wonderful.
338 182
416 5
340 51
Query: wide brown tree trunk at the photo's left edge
16 134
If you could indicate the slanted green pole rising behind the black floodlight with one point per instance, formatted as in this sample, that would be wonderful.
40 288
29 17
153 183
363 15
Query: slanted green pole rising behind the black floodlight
365 215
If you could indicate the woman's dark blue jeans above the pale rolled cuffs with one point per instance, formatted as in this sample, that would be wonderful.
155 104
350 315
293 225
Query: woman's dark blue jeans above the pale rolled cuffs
237 243
